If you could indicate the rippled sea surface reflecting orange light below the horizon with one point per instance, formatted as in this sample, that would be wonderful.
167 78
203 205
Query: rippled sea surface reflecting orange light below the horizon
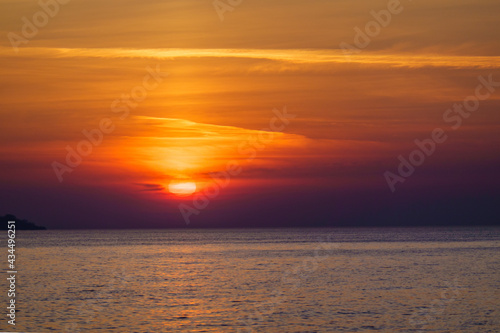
257 280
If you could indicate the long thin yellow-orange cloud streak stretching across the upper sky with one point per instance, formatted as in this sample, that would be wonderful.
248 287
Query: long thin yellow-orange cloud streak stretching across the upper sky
299 56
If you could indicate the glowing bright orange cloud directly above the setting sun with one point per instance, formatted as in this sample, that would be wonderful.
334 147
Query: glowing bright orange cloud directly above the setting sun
164 148
